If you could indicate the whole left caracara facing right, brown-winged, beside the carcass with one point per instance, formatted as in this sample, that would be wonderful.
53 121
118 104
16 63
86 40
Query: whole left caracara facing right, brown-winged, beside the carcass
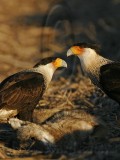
21 92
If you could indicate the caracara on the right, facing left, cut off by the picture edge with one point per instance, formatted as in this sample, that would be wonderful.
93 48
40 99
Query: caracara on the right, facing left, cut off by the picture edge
103 72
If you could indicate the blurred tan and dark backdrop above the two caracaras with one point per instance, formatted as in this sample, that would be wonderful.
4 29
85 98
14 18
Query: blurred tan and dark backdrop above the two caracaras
33 29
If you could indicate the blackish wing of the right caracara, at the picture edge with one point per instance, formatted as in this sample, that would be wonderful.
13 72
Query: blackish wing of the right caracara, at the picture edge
110 80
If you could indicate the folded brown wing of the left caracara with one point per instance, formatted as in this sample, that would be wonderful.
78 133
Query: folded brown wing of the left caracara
21 88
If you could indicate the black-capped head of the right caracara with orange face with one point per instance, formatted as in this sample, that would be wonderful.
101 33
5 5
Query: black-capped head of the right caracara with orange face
83 49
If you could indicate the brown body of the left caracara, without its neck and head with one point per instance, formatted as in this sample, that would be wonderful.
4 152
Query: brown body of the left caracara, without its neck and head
20 91
